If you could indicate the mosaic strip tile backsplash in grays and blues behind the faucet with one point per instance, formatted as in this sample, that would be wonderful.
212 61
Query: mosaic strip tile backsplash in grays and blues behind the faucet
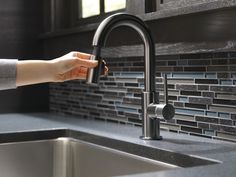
202 87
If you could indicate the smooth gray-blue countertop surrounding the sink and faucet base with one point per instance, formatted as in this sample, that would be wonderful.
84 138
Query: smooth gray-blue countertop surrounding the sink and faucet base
181 143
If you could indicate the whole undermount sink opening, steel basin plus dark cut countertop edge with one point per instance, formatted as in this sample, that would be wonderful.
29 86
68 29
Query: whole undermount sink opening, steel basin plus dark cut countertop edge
84 155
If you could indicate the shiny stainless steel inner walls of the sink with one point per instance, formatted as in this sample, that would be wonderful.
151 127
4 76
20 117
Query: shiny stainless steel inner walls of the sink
67 157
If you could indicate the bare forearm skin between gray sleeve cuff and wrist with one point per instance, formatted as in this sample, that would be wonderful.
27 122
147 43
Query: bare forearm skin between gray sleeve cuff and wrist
33 72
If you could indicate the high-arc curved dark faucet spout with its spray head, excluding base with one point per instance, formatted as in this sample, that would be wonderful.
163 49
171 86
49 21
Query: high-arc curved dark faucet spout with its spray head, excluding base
138 25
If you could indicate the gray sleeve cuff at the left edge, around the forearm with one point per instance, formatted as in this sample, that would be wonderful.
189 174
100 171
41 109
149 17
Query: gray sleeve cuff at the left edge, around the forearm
7 73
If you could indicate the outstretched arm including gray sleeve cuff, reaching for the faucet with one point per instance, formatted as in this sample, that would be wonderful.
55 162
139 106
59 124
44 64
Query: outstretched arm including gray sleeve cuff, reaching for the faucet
73 65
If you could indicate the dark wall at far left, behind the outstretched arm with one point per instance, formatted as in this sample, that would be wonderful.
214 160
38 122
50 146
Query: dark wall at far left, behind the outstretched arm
21 23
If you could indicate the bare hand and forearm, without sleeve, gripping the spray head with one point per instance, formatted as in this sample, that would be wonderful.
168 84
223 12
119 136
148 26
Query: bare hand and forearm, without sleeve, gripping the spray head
73 65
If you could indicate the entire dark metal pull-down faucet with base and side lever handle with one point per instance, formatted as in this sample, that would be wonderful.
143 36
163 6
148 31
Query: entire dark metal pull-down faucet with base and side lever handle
152 109
